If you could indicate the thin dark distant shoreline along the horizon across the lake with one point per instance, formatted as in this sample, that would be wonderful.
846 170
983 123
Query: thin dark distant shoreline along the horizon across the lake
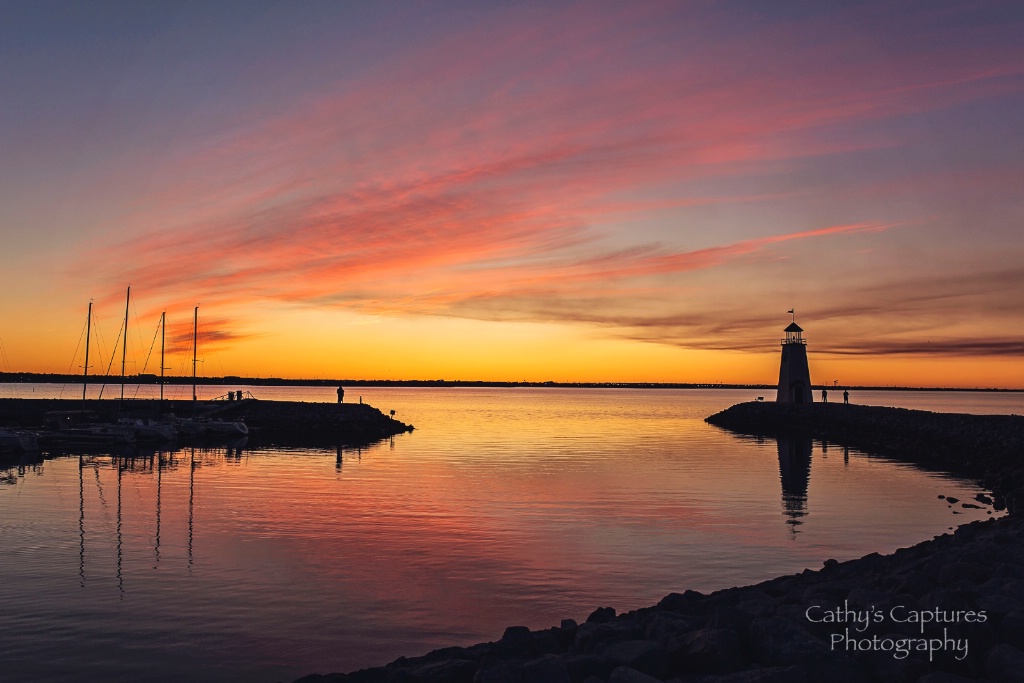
45 378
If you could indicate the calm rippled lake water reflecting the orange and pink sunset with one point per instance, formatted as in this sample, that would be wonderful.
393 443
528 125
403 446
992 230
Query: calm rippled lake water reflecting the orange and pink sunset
505 506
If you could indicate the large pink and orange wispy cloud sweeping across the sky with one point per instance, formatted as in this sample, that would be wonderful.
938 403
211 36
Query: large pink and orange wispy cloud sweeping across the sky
496 175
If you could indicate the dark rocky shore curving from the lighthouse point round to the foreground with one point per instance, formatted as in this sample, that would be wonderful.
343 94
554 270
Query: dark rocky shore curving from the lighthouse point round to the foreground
945 611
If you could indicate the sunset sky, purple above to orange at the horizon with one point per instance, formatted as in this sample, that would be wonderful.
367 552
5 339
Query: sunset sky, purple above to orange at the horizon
517 191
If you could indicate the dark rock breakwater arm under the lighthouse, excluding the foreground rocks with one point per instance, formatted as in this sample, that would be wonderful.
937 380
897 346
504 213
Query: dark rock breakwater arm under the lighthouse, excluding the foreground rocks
987 448
